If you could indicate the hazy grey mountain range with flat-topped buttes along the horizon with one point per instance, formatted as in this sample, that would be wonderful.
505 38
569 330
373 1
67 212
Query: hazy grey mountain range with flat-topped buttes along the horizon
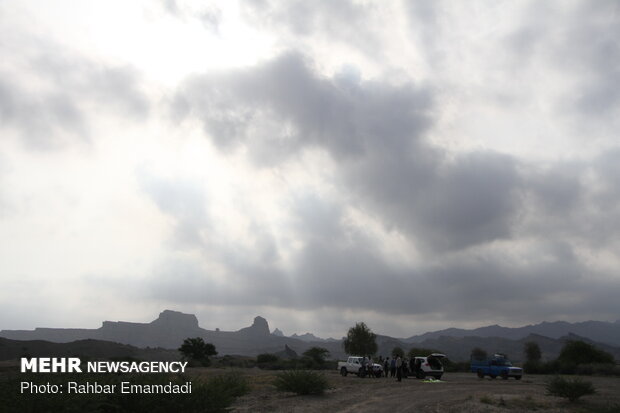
171 327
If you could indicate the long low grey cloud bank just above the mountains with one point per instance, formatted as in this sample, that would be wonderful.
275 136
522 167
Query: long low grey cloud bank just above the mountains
341 267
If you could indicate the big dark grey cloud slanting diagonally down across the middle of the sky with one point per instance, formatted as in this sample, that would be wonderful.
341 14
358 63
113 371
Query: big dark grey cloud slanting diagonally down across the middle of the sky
374 132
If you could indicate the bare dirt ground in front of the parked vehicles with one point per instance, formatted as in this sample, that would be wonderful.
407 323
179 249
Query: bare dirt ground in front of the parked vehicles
457 392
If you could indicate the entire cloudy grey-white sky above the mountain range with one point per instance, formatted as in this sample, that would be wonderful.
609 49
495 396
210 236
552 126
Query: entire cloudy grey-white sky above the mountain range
415 165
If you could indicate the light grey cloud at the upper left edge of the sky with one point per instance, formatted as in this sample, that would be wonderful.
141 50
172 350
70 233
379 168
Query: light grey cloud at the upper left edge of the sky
57 93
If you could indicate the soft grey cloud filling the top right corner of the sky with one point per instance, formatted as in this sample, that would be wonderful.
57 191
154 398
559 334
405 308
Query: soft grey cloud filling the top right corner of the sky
576 40
